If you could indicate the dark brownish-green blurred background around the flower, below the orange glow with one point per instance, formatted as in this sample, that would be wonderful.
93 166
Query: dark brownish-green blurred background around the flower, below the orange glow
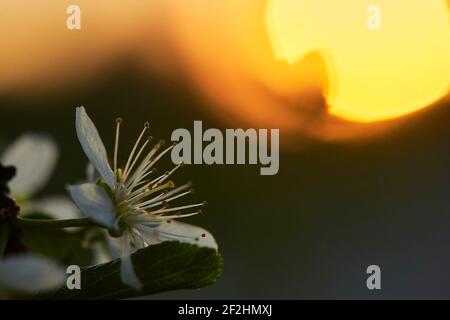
308 232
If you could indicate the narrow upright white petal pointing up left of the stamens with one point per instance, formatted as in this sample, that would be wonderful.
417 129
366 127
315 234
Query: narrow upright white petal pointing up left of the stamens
93 146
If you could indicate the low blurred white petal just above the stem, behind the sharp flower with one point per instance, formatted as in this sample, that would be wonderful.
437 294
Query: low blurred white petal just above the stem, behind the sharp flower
57 207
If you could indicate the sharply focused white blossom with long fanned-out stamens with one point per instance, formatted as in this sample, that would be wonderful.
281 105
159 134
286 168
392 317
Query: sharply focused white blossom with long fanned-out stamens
131 204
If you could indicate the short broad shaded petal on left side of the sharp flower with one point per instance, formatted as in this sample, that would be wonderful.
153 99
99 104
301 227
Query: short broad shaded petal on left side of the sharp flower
94 202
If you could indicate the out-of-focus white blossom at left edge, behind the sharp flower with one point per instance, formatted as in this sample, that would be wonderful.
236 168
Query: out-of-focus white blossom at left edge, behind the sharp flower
35 157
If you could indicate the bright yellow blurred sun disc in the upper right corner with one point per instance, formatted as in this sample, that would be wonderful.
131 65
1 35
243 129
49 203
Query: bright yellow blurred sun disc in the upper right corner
400 66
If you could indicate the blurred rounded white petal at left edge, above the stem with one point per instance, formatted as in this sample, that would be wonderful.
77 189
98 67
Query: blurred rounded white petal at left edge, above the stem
35 157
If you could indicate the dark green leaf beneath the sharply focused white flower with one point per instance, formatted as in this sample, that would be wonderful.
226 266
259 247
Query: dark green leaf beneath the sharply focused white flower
163 267
